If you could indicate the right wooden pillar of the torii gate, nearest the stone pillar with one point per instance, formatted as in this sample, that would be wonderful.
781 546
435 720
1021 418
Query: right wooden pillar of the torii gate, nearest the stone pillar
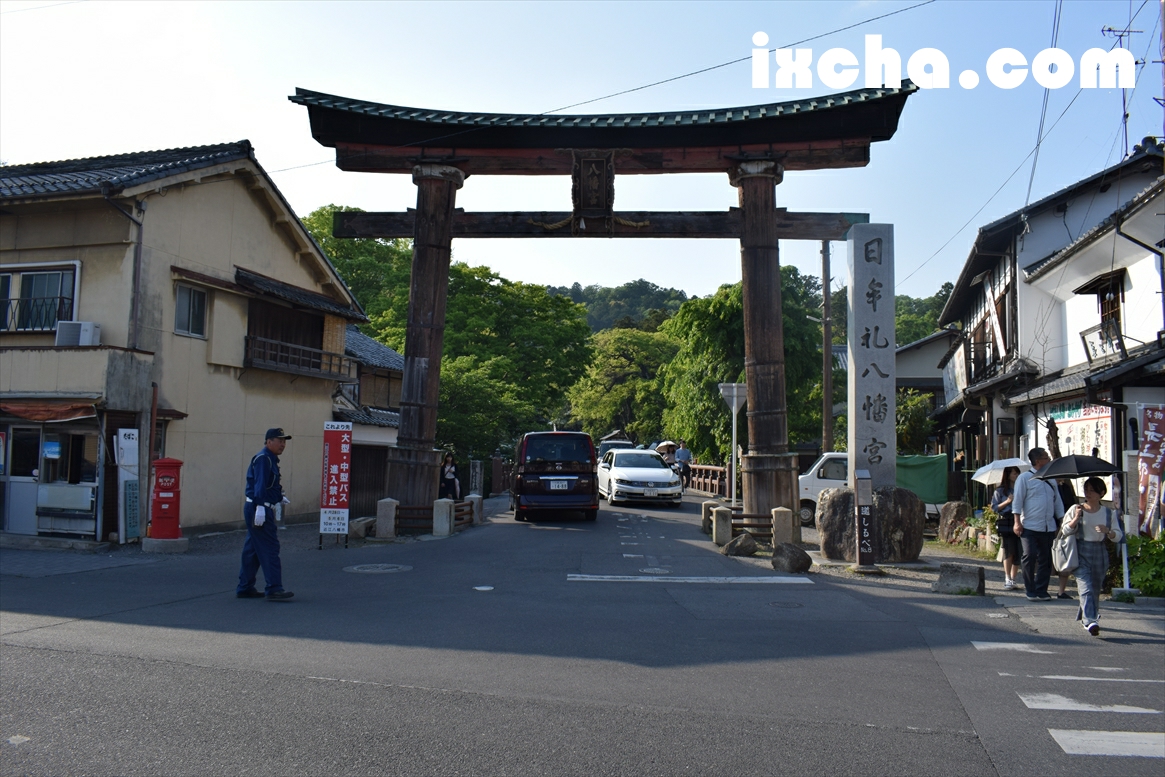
768 472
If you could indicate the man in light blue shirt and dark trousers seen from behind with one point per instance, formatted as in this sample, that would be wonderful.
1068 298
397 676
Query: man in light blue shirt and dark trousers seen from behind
1036 506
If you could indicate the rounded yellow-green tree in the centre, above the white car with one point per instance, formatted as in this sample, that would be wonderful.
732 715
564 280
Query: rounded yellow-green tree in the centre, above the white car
622 387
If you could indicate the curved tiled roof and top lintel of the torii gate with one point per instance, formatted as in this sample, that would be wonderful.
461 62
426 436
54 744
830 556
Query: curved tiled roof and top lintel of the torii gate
823 132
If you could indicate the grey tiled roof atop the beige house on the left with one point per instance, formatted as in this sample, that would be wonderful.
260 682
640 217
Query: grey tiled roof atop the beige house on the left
112 173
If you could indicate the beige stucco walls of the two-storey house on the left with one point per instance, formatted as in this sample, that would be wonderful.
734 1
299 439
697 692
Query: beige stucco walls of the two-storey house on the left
209 229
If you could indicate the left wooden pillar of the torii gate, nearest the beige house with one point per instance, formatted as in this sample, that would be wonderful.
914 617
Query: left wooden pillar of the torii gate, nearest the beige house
414 464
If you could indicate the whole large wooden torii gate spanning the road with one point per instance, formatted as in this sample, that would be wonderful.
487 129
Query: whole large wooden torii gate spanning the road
756 146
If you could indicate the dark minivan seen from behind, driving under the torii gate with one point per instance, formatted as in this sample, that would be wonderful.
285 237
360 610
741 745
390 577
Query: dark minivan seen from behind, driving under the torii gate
555 471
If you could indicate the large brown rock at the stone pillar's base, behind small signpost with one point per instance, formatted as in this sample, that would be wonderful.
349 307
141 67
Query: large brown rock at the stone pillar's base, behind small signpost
900 518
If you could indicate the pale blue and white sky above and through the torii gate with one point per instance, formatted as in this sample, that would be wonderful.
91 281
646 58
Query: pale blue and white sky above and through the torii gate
90 79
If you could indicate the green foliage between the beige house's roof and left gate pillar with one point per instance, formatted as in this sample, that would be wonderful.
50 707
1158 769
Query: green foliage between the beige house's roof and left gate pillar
376 271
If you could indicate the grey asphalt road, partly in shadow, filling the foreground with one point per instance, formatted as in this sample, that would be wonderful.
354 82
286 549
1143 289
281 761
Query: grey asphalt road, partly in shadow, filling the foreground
506 651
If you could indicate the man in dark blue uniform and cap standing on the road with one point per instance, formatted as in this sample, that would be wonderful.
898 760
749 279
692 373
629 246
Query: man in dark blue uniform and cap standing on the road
265 492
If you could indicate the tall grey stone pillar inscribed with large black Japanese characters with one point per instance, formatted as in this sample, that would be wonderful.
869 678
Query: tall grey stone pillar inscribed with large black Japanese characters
873 443
